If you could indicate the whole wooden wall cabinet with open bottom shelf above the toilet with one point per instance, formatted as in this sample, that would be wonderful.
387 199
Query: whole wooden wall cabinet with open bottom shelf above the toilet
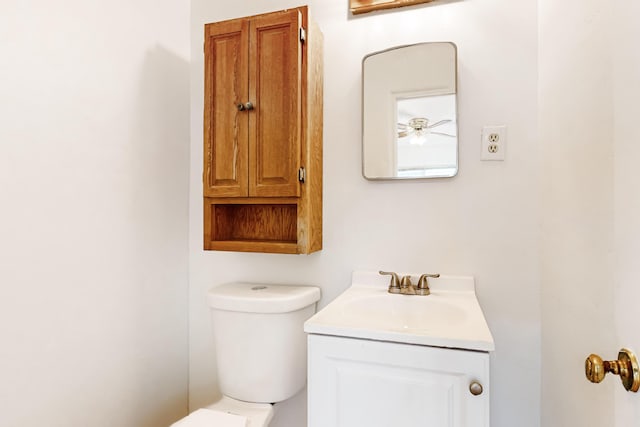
262 178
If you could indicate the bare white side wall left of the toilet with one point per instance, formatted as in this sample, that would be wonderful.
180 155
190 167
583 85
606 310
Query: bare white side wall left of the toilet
94 153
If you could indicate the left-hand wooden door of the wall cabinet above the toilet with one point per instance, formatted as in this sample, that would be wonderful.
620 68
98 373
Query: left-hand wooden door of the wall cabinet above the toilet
226 128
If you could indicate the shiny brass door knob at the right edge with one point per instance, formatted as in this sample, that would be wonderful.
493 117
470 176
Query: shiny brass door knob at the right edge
626 366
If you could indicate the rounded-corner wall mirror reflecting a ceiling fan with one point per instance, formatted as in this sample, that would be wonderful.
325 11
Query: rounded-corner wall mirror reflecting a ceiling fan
409 112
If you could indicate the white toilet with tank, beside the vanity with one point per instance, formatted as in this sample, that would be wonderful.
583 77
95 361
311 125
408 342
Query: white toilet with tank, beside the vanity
261 351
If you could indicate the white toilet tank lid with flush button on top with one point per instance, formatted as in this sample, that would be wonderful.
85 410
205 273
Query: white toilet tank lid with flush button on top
262 298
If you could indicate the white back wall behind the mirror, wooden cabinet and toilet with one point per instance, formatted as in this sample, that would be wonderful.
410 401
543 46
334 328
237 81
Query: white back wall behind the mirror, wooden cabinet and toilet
484 222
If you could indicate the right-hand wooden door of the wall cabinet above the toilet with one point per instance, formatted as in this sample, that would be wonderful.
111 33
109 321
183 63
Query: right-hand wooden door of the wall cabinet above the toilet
275 76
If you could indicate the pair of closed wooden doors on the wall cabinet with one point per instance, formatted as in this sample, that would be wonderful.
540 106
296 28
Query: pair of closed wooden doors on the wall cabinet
253 107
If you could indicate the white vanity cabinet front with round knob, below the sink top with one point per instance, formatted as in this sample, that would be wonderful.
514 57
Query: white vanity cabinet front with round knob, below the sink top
355 382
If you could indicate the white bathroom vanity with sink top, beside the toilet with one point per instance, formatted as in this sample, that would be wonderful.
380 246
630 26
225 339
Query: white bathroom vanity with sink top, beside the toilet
377 359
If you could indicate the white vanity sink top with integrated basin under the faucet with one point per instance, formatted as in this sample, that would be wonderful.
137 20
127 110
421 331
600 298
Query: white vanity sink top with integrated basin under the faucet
450 317
